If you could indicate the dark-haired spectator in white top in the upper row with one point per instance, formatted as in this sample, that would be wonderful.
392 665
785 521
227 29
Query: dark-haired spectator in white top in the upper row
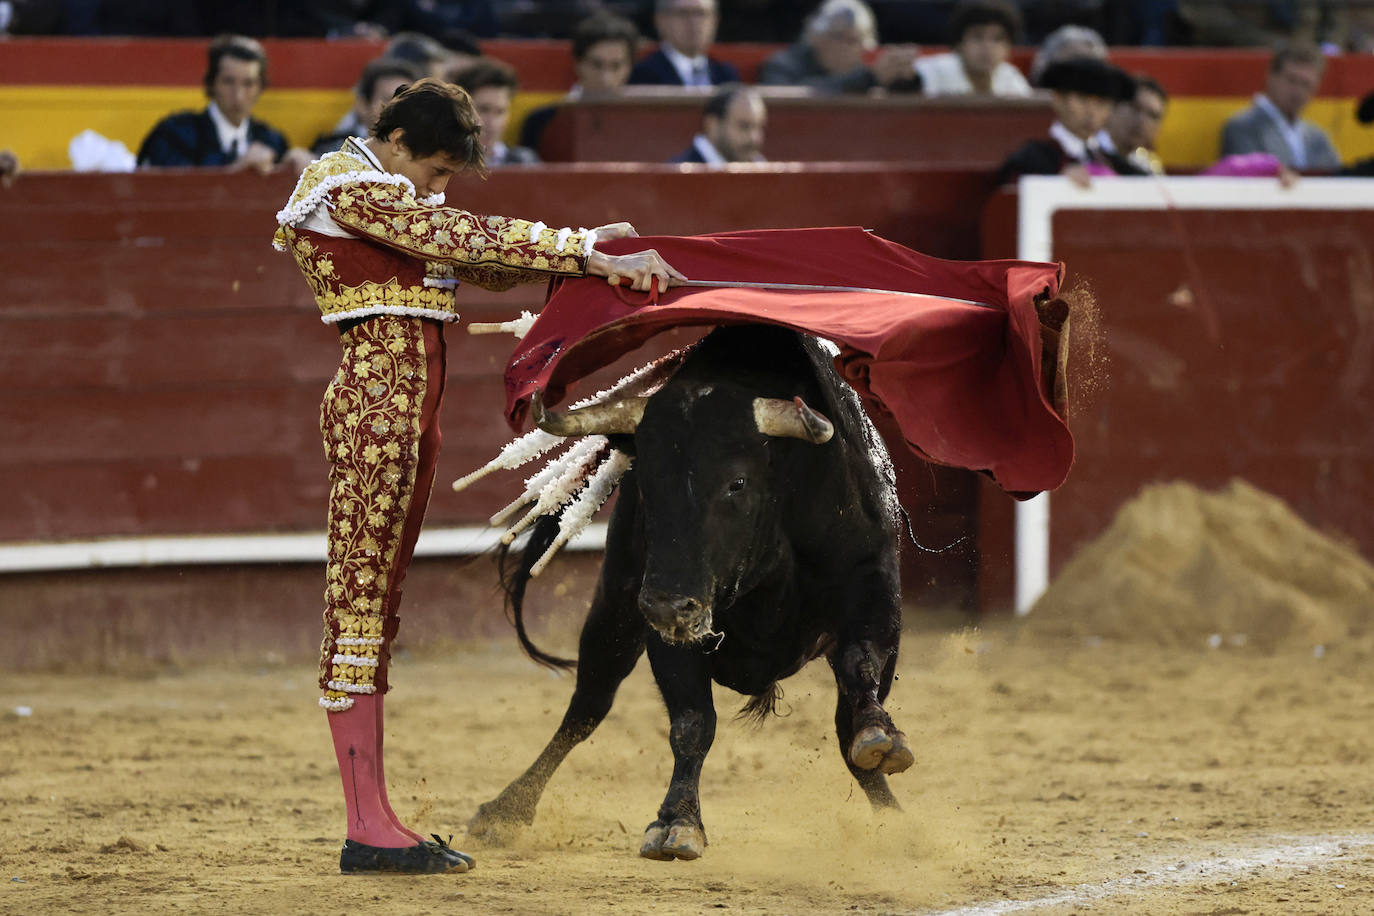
982 35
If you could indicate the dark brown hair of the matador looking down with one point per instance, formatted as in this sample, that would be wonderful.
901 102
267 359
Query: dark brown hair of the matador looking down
435 117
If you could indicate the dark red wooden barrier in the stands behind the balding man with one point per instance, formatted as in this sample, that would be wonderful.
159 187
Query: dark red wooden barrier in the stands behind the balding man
652 126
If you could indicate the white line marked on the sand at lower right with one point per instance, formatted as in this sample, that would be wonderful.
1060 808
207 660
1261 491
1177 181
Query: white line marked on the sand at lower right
1280 854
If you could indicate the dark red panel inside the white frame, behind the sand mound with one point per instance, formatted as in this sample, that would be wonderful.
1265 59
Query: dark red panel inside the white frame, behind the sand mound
1241 345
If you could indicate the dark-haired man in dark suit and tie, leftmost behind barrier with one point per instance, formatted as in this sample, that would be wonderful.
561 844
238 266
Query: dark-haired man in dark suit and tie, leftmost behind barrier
225 134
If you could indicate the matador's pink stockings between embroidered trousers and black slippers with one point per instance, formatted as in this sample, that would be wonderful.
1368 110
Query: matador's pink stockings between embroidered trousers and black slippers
358 745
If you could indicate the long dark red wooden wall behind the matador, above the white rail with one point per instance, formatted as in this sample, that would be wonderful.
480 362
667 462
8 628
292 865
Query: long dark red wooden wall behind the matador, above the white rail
161 366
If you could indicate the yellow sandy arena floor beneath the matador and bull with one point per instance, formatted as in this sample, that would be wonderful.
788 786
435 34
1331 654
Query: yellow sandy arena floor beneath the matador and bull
1050 779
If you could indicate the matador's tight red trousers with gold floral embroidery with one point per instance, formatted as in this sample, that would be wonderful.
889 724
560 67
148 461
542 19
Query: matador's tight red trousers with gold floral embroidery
380 421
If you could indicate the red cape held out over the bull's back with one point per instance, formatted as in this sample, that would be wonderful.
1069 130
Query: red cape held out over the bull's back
969 385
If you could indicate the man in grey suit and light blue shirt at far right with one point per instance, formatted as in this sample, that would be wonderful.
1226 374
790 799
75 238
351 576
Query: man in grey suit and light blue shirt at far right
1274 123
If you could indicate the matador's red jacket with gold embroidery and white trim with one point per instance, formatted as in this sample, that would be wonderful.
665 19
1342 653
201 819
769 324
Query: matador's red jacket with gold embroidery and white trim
369 247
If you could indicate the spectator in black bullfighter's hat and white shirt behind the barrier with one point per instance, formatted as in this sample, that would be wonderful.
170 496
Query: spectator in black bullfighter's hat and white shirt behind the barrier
1083 93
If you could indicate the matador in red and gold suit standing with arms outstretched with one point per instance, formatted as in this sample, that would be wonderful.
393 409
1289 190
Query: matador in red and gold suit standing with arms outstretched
384 257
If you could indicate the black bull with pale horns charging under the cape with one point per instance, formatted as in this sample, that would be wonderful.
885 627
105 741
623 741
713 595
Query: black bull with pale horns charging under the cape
739 557
